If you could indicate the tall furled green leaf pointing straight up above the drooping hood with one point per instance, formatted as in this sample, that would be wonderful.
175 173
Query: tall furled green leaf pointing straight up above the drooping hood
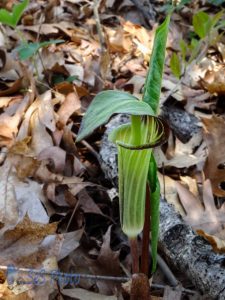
154 78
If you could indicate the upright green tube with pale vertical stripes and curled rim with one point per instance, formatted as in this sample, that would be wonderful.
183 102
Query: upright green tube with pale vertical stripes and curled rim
133 166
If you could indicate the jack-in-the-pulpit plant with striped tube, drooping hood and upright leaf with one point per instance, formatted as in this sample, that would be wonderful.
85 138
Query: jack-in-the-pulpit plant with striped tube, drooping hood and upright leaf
135 140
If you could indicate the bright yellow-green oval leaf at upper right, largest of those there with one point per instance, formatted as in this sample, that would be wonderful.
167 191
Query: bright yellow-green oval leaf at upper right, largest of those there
202 24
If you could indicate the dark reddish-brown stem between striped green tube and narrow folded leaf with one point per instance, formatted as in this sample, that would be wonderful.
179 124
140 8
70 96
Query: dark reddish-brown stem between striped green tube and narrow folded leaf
146 233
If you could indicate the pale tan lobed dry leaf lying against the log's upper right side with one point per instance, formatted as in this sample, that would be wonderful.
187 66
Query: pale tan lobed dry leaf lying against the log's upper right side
204 217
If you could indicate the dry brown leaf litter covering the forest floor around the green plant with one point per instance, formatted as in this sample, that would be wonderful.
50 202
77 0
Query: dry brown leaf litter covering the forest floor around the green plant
56 211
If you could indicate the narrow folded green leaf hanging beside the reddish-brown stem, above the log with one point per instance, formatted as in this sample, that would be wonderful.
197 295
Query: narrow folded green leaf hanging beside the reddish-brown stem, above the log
155 200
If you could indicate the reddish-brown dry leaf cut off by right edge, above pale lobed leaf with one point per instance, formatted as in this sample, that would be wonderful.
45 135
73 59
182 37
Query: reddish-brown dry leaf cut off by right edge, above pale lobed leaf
215 165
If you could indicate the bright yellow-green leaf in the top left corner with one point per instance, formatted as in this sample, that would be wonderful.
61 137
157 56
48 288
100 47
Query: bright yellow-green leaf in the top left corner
12 18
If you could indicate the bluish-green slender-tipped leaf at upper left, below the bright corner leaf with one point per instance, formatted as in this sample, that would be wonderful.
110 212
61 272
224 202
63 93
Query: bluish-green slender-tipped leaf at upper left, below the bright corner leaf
27 50
